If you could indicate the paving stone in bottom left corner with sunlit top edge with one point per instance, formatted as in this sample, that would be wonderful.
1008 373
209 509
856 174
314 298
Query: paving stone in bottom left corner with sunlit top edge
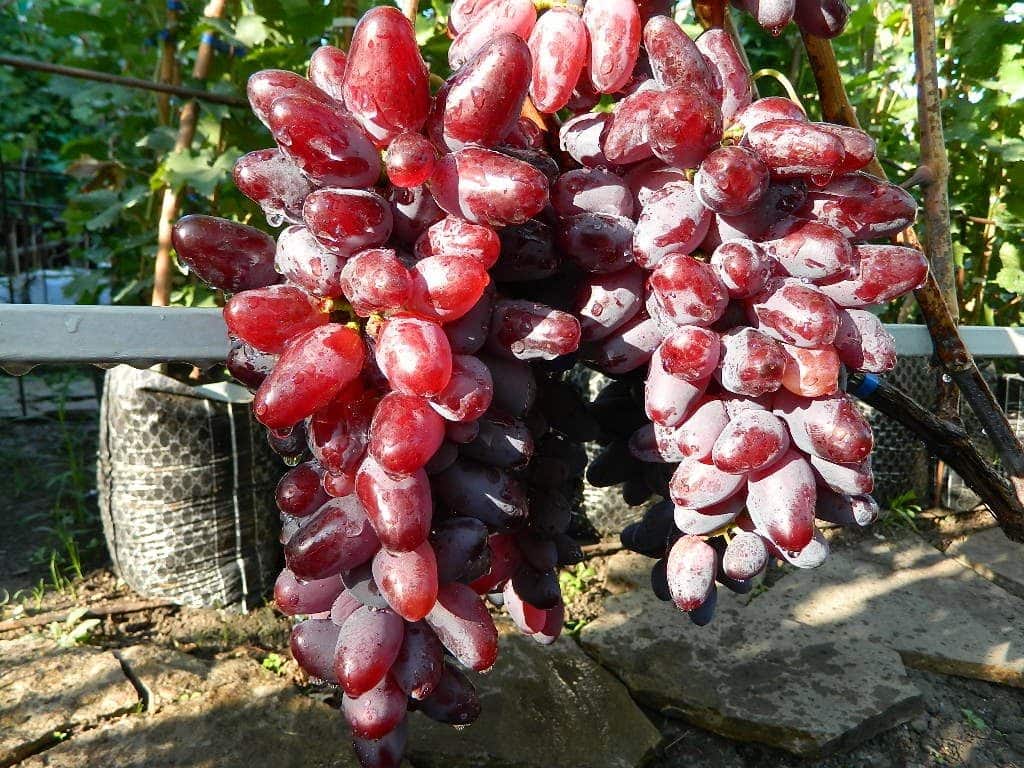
247 718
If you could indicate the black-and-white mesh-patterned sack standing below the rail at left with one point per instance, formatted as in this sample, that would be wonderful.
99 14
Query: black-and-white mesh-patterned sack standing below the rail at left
186 482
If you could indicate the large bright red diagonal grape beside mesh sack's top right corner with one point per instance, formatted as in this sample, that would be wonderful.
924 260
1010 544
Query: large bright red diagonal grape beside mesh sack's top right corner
311 372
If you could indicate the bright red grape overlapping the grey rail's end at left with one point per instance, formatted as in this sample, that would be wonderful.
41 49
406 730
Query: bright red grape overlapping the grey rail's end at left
269 318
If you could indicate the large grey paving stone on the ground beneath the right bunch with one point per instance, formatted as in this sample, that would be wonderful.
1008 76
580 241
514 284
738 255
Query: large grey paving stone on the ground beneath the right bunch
751 675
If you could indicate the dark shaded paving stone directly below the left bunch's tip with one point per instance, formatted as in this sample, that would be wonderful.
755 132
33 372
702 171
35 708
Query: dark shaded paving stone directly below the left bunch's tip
544 707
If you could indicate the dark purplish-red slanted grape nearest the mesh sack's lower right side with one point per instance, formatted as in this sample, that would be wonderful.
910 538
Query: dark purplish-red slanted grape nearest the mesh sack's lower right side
337 538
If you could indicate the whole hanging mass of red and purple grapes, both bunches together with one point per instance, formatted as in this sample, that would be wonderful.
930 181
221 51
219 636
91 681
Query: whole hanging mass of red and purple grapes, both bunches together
407 335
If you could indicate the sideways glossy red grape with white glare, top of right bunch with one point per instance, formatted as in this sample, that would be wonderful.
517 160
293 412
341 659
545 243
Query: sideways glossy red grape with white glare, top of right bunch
797 149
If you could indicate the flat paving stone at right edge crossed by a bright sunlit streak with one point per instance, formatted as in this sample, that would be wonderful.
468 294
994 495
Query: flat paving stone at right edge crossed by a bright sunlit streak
903 593
